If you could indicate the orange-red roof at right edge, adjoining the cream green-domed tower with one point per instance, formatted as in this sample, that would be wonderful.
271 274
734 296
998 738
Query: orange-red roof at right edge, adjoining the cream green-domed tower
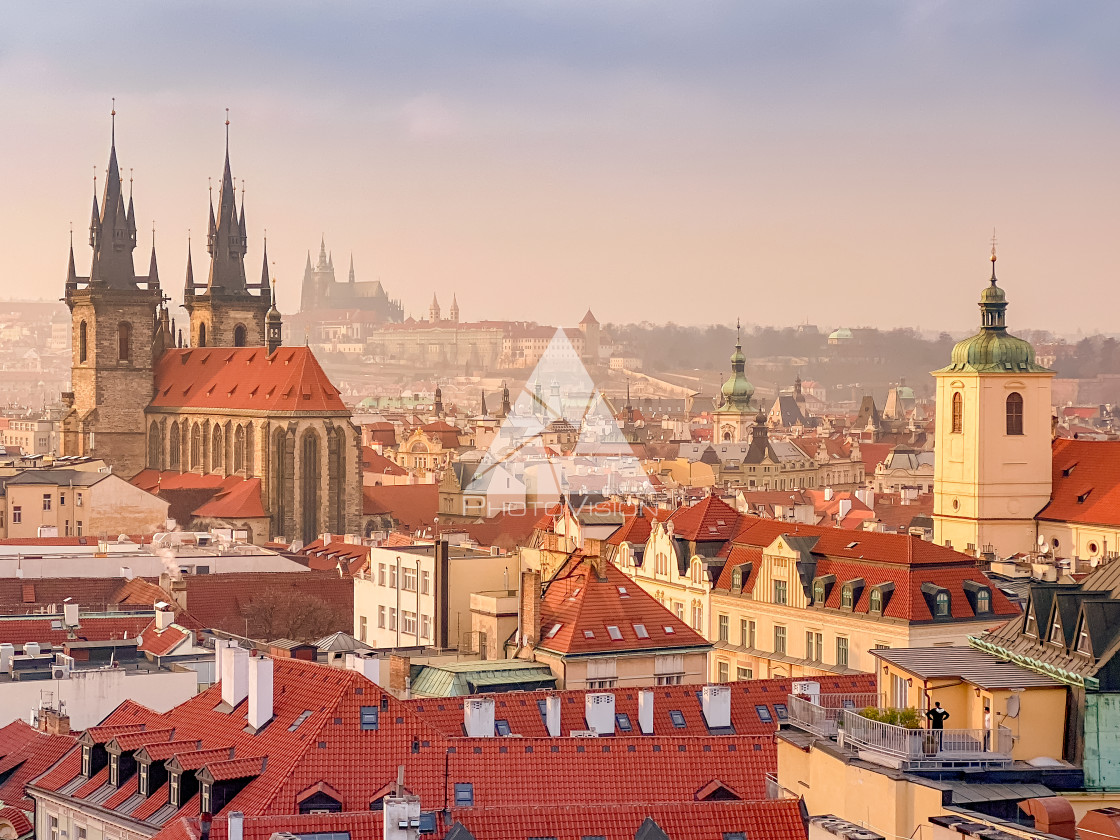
1086 483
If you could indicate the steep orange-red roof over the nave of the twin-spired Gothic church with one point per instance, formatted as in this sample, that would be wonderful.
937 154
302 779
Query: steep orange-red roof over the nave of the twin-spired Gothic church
245 379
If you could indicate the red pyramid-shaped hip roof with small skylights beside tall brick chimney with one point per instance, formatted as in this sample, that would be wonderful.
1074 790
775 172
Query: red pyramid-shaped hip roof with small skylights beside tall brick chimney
580 608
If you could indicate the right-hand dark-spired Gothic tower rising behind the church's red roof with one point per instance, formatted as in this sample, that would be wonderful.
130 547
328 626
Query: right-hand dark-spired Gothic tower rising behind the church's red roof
226 312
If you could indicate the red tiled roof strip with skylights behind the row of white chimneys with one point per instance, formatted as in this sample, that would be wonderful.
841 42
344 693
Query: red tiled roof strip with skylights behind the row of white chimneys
522 710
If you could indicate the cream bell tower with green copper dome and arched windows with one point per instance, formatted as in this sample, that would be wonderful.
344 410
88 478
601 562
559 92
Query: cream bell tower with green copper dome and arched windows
993 452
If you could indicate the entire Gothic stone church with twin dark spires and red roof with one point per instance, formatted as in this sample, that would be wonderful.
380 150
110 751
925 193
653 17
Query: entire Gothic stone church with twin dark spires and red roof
234 430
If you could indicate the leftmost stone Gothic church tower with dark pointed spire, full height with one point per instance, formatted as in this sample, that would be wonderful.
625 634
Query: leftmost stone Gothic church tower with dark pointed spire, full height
119 329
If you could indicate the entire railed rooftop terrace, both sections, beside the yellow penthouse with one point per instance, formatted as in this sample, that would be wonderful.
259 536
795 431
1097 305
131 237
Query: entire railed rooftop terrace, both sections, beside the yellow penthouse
837 716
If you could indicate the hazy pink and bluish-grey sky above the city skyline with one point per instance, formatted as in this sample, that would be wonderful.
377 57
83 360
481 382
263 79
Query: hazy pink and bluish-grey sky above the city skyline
693 162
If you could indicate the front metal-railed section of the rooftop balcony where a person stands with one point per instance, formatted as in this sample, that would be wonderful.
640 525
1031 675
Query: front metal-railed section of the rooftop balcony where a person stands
904 749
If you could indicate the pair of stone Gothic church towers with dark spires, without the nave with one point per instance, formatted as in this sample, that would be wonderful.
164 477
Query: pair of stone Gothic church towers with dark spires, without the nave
122 324
